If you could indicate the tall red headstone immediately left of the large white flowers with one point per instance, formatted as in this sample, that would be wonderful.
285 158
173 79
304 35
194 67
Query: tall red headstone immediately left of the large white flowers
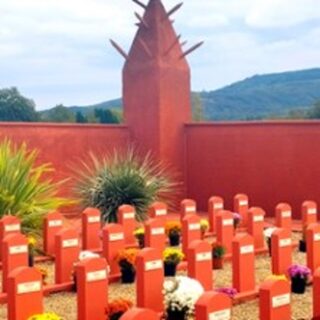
150 277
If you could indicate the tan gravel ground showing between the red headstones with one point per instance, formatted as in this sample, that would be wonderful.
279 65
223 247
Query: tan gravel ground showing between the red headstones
64 304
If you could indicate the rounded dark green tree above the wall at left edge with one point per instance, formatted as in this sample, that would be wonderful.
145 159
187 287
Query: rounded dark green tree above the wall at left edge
15 107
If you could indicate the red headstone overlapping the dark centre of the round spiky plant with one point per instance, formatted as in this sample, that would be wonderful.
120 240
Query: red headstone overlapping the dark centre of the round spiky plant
126 217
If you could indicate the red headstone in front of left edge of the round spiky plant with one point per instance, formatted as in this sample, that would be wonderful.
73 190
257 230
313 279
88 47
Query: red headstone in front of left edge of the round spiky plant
91 225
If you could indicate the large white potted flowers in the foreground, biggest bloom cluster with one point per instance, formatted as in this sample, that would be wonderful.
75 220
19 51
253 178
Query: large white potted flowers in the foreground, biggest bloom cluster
180 295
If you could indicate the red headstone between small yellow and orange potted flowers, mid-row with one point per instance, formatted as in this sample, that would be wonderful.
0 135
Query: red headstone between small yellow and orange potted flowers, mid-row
155 236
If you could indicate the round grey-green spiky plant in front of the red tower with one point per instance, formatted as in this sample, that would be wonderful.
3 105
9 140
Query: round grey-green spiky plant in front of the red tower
124 178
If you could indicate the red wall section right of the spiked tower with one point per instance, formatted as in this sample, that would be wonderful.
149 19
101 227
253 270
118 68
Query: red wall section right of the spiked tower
270 161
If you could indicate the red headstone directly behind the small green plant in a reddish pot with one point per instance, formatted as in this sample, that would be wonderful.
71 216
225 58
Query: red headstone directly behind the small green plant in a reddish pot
225 230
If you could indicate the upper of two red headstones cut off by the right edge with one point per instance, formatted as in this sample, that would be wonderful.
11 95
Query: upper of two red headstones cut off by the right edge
313 246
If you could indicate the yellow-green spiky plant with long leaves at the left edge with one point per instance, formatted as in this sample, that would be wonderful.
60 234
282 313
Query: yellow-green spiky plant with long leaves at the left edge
25 189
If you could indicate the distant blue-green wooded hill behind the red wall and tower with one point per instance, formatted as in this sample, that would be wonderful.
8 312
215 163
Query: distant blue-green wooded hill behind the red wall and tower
257 97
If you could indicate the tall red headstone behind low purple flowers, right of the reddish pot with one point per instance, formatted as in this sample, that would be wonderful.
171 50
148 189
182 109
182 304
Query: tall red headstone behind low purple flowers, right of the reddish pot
243 267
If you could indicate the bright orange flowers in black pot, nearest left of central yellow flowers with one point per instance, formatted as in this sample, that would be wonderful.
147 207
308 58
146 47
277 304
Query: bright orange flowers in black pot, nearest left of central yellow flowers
126 259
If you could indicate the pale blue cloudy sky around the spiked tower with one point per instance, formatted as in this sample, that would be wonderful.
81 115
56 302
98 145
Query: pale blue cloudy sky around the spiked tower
57 51
